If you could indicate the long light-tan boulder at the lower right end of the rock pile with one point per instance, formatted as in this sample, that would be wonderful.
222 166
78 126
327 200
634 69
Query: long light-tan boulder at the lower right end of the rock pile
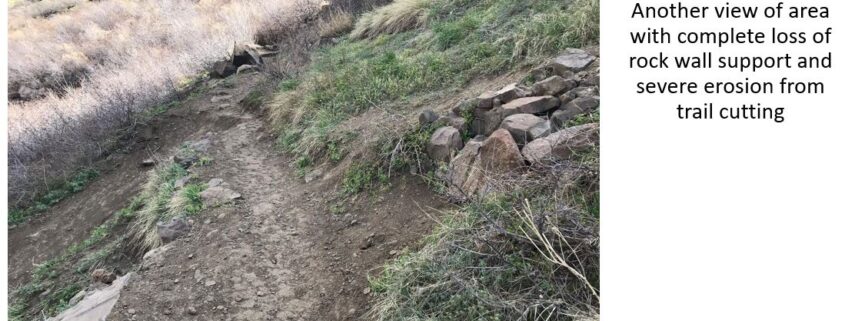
561 145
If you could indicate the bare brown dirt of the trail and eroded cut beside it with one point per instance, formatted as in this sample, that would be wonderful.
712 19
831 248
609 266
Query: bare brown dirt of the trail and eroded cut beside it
283 252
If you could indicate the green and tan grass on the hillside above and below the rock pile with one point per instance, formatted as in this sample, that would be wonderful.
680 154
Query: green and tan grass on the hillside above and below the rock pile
527 254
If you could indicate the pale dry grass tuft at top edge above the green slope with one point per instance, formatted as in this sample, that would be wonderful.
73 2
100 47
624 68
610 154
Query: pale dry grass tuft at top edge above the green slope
401 15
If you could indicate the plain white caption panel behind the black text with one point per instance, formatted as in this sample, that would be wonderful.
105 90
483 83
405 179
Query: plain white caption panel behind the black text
721 219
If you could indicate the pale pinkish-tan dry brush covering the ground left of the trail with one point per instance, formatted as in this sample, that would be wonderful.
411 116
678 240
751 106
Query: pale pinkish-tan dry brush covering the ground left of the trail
99 63
